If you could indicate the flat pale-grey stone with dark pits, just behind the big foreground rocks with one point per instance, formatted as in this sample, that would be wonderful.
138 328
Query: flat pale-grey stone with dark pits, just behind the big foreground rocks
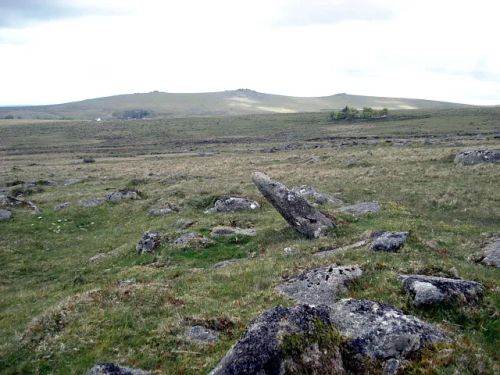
320 286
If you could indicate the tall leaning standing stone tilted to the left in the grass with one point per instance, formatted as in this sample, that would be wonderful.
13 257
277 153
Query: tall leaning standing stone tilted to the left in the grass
303 217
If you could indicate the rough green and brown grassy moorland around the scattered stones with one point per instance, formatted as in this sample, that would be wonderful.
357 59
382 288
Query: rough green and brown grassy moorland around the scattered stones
60 312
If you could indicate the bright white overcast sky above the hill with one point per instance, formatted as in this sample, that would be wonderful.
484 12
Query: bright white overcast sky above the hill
61 51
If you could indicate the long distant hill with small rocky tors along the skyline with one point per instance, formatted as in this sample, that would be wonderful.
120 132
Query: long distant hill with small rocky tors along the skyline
234 102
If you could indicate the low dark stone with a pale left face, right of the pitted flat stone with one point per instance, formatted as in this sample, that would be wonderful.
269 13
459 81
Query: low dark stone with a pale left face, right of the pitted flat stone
430 290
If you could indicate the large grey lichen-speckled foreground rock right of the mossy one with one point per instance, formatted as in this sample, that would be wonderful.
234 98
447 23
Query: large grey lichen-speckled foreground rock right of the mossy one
378 332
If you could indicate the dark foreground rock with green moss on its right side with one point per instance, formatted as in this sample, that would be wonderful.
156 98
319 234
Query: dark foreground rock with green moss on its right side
283 340
